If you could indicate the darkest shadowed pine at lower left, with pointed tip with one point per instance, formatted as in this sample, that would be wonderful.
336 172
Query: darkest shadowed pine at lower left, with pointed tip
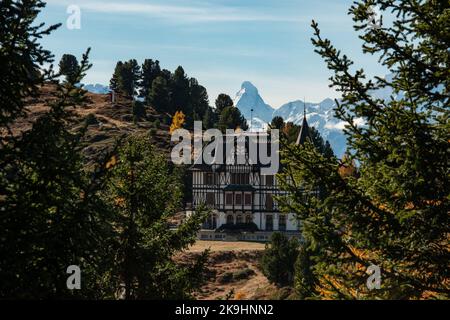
51 215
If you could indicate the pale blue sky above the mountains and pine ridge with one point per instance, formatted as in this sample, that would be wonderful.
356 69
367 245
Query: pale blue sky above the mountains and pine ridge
220 42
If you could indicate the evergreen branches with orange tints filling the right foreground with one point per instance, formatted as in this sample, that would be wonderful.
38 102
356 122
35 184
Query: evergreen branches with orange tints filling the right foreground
395 213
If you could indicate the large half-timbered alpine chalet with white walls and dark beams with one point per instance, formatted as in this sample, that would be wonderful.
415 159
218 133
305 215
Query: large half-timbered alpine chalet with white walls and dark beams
240 195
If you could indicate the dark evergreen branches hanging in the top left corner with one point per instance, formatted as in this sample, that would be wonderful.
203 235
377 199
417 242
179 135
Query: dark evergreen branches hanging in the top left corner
20 64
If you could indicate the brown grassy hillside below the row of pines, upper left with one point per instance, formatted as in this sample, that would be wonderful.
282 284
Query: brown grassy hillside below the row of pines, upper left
107 122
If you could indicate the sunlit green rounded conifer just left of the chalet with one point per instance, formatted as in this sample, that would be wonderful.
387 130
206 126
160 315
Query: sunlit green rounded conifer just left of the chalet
145 193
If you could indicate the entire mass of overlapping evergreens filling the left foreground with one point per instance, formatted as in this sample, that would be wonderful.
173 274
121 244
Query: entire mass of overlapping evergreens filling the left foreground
112 221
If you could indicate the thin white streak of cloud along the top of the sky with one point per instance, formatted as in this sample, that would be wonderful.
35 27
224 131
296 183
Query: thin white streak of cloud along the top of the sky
179 13
